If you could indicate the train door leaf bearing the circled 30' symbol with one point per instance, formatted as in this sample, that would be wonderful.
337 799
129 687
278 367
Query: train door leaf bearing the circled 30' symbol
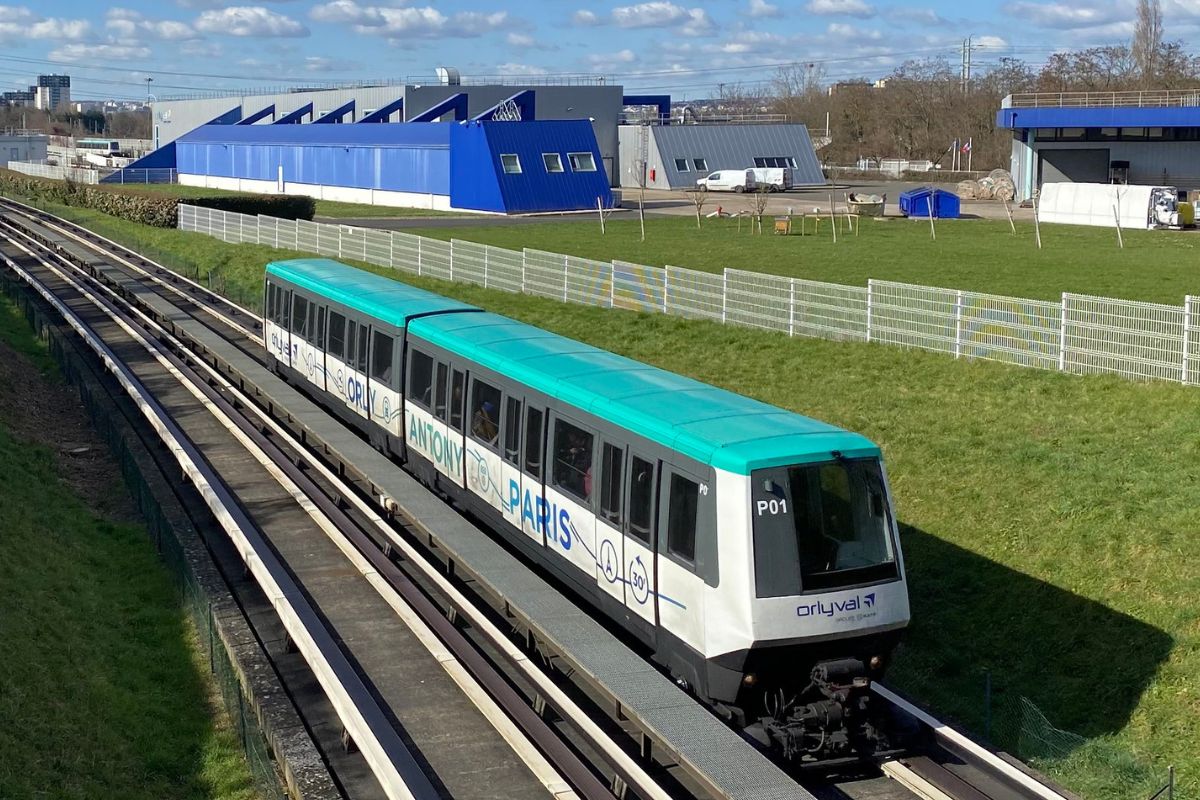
640 538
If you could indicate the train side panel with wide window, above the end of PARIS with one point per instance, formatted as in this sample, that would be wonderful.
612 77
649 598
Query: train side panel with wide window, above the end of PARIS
571 518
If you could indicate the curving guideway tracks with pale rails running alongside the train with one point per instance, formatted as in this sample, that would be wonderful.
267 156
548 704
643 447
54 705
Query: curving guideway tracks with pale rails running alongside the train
572 732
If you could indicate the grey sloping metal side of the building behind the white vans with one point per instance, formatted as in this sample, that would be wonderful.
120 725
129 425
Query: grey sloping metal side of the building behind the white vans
736 147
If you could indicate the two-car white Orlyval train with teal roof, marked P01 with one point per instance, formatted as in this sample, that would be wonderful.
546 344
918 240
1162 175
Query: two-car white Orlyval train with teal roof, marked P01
751 551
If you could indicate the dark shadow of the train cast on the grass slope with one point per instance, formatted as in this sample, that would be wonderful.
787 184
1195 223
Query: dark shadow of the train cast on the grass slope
1084 665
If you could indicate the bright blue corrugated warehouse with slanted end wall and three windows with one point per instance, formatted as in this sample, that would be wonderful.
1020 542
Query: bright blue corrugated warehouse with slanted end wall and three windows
477 166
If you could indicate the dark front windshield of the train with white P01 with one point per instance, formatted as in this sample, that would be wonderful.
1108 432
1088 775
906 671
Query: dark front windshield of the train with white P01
820 527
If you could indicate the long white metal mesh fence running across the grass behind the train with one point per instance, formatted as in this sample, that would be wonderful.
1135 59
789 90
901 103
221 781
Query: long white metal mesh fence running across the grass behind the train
1079 334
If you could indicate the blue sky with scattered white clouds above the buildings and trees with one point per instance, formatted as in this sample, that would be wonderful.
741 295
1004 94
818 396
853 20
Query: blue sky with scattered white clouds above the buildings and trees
689 50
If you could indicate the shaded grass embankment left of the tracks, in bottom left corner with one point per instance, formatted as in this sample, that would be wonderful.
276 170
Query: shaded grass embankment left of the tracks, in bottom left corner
103 693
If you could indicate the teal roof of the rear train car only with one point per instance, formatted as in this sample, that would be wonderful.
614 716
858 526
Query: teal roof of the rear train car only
371 294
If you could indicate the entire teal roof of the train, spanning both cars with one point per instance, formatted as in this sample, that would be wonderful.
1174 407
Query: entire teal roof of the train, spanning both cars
711 425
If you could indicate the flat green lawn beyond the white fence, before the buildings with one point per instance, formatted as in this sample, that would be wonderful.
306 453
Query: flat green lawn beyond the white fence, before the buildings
976 255
